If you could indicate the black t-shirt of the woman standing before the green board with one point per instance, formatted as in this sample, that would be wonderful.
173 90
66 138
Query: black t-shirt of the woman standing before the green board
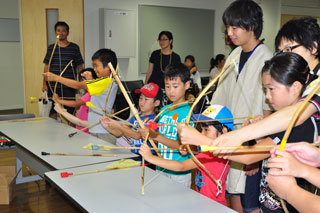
157 73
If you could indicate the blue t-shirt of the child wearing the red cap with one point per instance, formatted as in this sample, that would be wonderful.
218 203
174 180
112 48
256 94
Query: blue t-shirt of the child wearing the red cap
145 119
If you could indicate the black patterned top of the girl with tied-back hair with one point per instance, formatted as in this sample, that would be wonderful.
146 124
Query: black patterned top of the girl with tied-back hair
270 202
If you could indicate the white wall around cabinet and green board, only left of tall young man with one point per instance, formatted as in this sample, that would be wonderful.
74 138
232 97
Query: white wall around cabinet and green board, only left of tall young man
129 68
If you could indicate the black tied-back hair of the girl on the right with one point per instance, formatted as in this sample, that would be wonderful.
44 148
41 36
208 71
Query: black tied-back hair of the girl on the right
288 67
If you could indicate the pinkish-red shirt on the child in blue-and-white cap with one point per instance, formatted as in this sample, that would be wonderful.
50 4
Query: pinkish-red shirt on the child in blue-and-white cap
219 168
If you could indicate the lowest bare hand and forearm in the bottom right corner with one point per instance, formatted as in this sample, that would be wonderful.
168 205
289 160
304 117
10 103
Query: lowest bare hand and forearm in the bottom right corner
287 188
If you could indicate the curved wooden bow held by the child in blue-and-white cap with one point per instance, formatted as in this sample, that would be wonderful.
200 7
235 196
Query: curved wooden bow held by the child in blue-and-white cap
210 84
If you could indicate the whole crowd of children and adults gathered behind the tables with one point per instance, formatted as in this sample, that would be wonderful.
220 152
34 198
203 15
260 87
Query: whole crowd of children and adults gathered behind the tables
257 82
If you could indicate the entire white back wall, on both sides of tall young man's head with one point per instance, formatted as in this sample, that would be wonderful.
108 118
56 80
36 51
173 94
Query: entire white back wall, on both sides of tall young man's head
129 67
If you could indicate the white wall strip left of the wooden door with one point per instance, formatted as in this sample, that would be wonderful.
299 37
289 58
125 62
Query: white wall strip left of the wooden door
11 80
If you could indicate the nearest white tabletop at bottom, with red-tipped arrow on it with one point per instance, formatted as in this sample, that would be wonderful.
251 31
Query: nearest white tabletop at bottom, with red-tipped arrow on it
119 191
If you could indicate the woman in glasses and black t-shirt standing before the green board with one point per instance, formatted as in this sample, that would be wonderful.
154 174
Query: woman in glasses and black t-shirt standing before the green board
161 58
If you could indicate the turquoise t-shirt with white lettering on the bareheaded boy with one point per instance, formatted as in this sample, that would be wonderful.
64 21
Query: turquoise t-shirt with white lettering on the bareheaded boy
179 114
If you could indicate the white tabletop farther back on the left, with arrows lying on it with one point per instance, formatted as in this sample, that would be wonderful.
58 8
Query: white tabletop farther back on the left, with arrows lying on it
52 136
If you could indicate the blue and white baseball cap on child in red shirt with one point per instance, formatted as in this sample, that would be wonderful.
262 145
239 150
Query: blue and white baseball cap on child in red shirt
216 112
